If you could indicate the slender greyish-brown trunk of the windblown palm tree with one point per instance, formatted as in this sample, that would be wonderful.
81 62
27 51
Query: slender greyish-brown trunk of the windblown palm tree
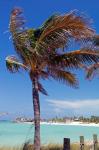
36 106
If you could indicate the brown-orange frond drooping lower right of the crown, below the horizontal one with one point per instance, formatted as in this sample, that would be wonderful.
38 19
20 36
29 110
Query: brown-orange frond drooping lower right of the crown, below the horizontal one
64 77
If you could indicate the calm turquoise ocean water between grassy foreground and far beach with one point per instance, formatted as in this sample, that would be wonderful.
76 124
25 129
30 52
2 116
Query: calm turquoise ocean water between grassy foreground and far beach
12 134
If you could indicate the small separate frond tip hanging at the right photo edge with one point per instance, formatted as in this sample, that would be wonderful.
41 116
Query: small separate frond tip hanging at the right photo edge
92 71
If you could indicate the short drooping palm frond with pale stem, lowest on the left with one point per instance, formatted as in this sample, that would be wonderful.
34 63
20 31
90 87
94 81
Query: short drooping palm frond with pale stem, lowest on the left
13 64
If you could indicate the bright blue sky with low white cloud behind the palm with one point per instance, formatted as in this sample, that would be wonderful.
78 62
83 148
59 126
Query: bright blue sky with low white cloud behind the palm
15 89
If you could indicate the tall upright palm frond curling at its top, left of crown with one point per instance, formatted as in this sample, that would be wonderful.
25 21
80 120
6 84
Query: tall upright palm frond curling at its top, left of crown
22 38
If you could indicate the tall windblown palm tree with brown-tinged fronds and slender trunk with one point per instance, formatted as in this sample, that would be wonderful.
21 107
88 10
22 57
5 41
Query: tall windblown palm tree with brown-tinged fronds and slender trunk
42 53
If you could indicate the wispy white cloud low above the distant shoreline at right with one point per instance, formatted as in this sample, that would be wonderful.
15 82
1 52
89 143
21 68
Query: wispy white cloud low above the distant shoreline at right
76 106
